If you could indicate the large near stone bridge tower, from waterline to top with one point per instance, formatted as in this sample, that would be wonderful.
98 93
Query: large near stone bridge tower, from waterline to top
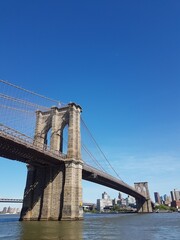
55 192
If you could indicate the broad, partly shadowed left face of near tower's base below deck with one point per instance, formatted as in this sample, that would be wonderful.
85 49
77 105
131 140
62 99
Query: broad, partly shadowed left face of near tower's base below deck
43 193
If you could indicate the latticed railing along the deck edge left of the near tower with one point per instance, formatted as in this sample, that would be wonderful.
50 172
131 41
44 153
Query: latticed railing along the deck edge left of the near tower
29 142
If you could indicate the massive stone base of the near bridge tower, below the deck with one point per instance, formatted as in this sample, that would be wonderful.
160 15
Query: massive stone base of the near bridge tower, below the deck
53 193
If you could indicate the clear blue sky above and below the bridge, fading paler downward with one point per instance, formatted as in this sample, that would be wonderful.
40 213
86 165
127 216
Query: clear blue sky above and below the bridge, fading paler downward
120 60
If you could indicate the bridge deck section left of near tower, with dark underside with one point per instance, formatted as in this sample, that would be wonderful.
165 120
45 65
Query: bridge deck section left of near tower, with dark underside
16 146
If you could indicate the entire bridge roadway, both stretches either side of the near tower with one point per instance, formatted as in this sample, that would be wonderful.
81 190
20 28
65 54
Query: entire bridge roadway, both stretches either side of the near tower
16 146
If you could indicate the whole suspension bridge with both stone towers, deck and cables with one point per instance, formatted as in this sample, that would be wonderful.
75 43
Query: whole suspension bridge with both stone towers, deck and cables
33 130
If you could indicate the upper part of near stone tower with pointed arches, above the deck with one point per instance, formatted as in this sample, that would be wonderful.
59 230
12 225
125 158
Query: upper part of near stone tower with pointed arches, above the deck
57 119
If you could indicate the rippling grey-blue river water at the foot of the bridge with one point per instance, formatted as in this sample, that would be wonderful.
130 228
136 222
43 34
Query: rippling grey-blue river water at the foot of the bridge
153 226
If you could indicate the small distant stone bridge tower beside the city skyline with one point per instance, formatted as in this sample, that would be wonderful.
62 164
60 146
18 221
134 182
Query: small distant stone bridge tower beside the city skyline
143 205
